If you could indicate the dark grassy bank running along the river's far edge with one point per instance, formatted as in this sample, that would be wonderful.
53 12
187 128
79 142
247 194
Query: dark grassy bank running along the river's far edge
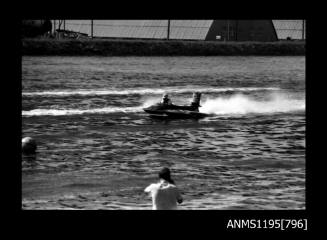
114 47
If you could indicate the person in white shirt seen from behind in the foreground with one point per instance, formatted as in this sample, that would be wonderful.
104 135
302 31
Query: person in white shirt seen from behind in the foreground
165 195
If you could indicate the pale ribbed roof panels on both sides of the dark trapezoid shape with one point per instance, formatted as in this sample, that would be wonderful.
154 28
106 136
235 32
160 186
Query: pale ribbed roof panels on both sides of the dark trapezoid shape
165 29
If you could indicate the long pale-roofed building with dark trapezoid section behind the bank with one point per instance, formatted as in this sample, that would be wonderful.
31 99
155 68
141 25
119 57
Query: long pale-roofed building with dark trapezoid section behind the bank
212 30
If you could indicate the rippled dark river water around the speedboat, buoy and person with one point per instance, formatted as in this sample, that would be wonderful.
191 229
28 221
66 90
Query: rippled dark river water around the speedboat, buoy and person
97 149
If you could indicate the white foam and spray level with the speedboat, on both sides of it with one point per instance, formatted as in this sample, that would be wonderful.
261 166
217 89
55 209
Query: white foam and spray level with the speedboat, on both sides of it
235 104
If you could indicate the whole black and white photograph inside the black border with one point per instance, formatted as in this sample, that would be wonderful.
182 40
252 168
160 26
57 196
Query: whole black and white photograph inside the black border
184 114
